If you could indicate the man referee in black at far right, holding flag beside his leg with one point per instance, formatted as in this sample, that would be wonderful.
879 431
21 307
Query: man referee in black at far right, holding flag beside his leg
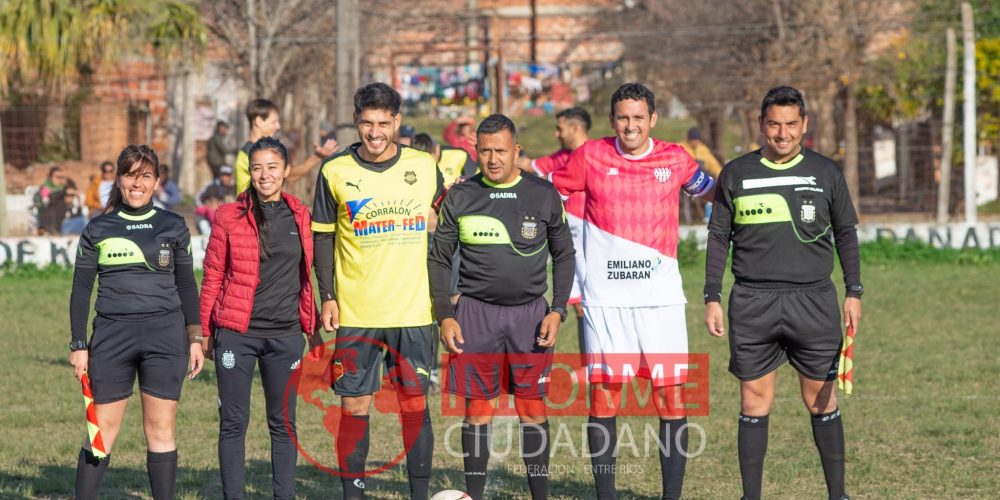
783 208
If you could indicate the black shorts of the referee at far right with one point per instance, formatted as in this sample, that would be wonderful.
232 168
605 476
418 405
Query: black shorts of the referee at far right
768 326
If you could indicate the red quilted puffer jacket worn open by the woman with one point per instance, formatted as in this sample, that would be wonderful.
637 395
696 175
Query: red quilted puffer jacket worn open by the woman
232 268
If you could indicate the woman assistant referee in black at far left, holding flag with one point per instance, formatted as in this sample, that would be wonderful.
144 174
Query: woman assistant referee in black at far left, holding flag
146 321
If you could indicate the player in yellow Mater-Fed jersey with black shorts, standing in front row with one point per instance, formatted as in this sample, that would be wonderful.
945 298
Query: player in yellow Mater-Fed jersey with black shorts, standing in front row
374 200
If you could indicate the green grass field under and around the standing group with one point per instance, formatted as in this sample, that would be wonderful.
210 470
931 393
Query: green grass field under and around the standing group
924 421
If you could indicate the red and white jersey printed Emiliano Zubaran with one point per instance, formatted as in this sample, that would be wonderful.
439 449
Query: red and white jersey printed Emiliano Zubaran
630 220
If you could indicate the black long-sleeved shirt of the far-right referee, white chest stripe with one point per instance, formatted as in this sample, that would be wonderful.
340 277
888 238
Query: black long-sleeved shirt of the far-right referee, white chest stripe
781 219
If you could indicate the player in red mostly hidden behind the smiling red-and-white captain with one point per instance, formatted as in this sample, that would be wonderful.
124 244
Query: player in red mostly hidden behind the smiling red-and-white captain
572 127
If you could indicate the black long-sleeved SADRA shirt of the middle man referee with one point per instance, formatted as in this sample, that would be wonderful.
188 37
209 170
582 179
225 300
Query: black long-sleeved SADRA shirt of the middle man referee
502 232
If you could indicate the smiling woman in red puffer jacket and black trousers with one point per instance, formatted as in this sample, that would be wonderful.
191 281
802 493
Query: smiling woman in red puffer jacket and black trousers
256 304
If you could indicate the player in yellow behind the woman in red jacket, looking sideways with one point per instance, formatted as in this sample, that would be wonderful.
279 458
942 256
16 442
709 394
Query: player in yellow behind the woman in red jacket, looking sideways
265 121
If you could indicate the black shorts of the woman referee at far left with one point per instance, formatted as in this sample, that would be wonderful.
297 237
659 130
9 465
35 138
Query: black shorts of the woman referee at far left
155 348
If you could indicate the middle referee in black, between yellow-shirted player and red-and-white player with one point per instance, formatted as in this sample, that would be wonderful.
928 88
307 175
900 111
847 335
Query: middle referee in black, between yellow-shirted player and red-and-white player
501 328
